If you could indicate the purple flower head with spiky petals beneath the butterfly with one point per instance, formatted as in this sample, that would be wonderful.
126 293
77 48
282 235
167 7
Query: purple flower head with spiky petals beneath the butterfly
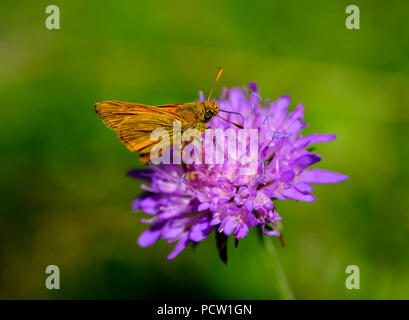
186 202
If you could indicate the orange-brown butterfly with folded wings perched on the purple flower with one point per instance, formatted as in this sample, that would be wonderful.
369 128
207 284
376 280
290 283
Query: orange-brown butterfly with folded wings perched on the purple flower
134 122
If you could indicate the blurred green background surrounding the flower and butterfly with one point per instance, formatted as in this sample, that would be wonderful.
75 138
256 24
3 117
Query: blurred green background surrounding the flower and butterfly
65 199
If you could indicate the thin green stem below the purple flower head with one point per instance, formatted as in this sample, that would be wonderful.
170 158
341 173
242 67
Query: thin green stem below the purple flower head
278 272
